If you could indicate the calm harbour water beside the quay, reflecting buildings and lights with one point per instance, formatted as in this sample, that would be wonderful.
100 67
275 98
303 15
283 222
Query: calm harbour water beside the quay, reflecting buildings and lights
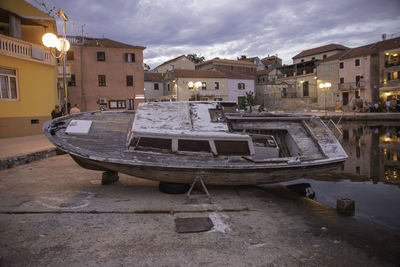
371 175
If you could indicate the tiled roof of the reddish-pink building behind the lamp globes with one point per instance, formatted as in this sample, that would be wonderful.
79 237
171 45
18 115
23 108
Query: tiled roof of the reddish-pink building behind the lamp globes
100 42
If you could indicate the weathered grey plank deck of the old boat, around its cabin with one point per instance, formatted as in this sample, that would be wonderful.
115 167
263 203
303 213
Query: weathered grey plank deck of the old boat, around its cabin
107 138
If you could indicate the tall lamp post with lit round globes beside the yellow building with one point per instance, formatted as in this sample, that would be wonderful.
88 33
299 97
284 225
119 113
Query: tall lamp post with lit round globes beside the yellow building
50 40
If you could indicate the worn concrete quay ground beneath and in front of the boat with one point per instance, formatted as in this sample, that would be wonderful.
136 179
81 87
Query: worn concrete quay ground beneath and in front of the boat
53 212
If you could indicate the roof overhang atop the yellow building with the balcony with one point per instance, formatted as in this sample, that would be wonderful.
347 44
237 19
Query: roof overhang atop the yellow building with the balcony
24 9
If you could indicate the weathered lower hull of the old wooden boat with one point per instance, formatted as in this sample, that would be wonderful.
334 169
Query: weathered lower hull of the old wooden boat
211 176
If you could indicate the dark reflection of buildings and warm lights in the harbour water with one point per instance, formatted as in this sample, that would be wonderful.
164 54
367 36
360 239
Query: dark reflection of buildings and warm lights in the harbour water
373 151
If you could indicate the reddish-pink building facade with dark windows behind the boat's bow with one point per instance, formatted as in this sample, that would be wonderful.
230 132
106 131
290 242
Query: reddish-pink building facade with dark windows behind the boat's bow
105 74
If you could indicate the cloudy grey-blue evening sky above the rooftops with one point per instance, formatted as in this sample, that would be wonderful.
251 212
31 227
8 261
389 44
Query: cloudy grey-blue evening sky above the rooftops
230 28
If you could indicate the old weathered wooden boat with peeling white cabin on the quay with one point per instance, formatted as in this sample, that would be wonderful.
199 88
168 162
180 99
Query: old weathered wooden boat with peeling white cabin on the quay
175 142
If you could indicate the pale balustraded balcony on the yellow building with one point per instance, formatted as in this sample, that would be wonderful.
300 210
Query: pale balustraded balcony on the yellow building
24 50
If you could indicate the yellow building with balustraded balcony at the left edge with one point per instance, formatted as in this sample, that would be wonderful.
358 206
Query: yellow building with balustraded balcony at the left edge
28 72
